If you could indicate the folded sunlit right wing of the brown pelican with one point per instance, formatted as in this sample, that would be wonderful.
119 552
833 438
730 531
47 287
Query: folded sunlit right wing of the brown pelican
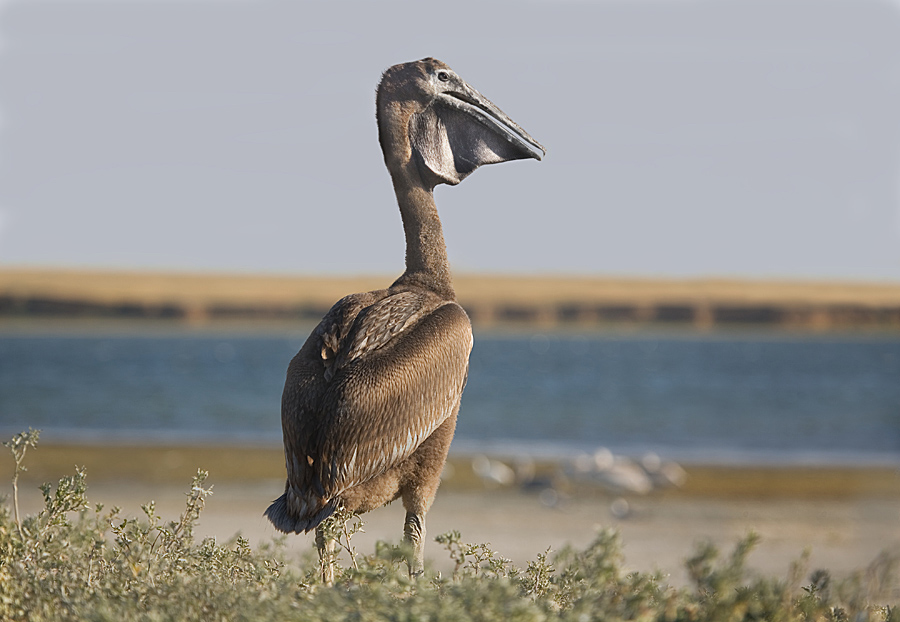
400 375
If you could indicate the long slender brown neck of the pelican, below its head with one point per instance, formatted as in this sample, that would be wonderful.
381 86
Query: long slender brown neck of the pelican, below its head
426 254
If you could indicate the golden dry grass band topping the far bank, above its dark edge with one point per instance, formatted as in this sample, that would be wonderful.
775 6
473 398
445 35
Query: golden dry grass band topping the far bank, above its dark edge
196 289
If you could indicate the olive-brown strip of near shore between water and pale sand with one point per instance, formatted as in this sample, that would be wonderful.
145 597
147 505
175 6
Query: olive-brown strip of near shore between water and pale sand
173 464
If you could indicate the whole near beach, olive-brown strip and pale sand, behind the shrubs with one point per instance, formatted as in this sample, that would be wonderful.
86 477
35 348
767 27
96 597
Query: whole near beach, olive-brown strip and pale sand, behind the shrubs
844 516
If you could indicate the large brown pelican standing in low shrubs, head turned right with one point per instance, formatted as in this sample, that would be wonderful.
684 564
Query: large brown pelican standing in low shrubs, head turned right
370 401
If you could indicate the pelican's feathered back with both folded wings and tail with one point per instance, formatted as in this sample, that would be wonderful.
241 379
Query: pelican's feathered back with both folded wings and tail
360 395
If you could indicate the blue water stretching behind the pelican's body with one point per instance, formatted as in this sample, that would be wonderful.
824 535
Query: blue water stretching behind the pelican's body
689 396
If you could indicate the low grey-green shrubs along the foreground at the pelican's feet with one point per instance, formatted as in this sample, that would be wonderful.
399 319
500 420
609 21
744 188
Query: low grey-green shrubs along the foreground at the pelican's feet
75 561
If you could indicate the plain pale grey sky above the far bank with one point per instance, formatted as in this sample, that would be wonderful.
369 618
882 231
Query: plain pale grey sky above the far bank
685 138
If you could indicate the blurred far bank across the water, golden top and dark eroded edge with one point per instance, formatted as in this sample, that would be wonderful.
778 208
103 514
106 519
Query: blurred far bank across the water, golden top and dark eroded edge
562 301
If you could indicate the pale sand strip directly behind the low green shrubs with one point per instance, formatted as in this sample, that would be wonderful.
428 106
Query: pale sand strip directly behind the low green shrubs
844 532
